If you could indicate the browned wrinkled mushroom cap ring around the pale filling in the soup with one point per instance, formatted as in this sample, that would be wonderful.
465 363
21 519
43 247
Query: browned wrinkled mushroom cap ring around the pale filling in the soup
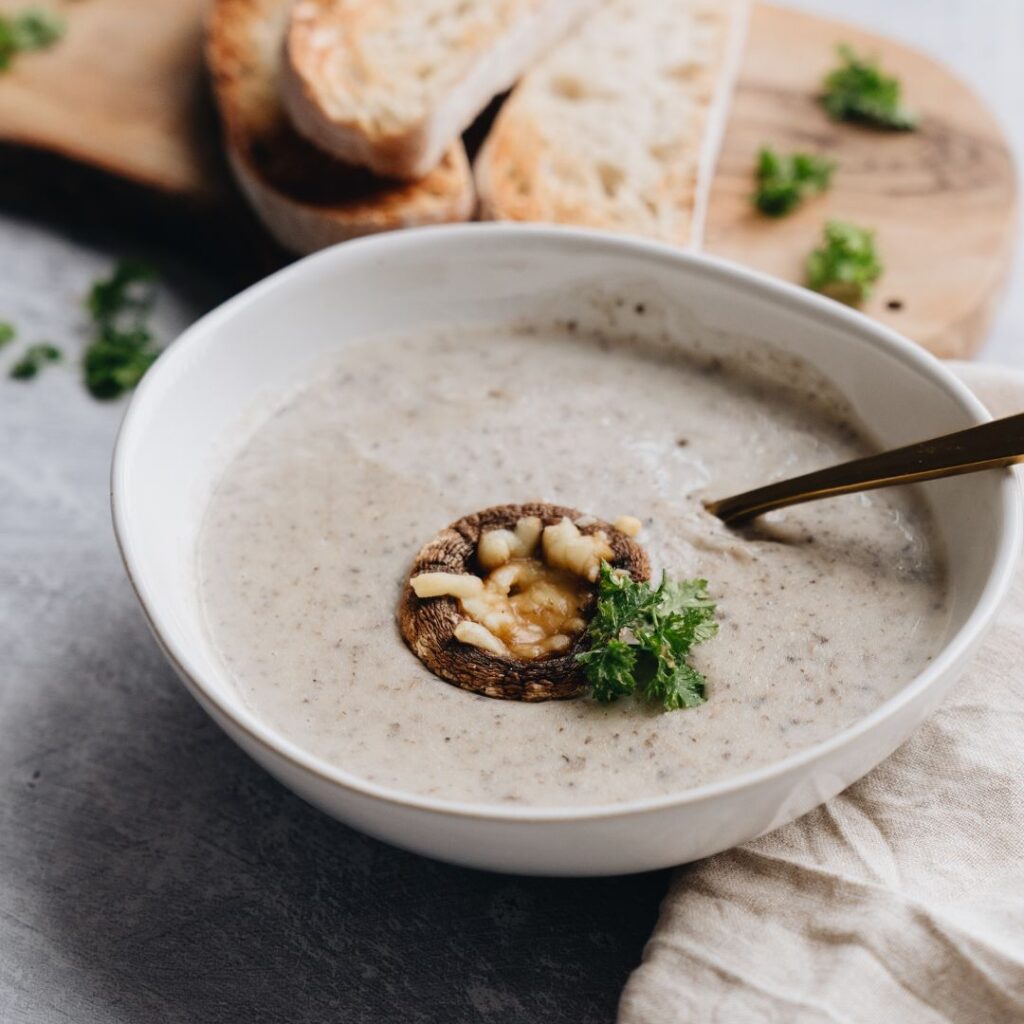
429 624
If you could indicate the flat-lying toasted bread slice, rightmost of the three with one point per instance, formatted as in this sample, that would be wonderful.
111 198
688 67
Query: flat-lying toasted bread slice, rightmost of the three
619 126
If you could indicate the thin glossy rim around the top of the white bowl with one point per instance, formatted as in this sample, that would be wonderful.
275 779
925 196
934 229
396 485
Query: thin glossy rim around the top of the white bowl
186 348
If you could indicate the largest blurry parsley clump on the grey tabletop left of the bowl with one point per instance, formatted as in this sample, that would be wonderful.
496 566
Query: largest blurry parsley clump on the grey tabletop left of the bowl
123 348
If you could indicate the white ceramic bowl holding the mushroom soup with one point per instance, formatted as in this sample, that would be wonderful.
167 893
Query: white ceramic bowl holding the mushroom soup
267 339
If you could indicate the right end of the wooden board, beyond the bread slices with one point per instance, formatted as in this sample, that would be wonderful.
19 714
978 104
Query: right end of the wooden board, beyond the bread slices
943 199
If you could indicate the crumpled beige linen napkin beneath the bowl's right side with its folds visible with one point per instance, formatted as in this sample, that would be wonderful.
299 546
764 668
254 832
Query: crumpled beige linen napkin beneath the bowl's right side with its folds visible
902 901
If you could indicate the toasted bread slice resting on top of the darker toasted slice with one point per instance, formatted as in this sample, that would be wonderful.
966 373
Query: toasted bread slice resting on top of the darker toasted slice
391 84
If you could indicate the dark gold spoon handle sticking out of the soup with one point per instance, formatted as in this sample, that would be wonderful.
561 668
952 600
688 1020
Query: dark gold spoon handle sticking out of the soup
991 446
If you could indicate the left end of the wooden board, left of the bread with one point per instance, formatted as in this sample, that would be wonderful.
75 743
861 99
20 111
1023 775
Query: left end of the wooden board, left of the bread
125 92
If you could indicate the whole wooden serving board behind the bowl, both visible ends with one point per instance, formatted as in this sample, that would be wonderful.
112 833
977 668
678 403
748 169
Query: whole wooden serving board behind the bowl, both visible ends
125 92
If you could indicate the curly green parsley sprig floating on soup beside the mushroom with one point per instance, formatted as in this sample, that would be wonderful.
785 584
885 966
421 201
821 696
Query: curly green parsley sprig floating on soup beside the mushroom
641 638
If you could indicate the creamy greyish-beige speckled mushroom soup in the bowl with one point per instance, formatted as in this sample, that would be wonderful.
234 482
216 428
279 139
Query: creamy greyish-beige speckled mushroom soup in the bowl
826 611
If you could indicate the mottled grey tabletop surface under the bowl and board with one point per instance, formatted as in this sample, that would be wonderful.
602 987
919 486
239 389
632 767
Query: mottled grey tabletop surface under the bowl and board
149 872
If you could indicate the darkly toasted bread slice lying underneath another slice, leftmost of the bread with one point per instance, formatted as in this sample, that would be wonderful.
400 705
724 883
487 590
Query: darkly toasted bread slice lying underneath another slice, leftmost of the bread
307 199
